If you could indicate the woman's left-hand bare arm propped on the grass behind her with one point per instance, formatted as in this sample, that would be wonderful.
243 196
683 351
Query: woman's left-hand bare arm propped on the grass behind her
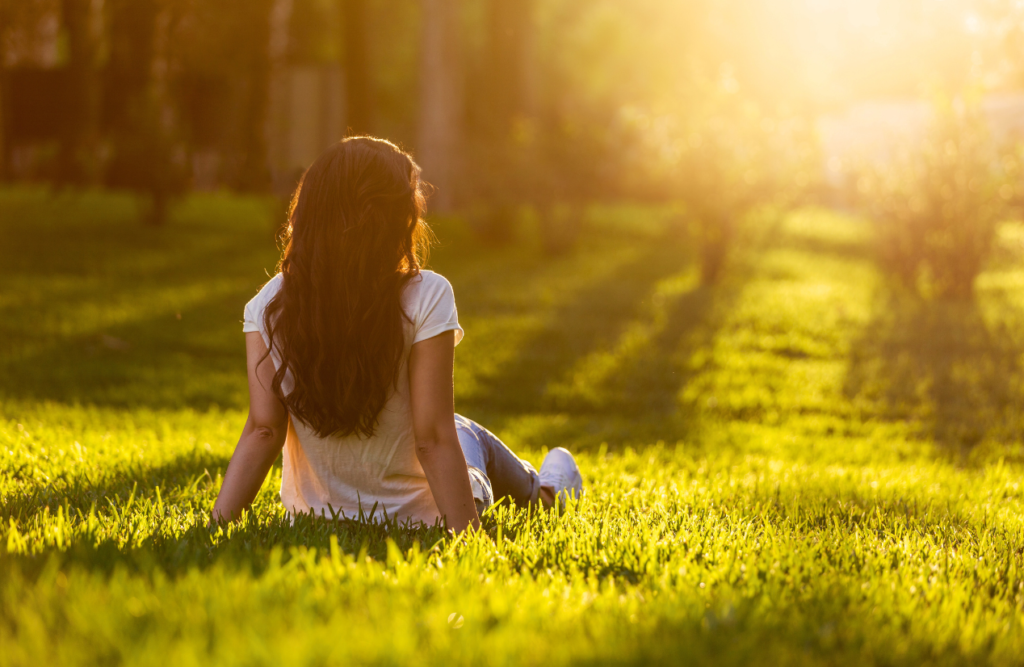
262 440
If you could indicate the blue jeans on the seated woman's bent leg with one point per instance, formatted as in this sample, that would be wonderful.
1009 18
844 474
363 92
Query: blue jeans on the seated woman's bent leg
500 473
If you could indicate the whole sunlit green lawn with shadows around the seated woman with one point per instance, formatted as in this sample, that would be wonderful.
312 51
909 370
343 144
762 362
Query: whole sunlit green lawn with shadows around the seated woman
799 467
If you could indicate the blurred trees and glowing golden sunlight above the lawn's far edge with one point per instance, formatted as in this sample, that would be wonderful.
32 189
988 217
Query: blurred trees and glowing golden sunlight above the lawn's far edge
544 104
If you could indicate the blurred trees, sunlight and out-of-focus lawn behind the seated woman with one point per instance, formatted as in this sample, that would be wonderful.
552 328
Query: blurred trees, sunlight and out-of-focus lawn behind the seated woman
660 217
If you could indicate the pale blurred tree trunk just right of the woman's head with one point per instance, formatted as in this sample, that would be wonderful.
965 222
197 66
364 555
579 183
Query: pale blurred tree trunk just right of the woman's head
441 101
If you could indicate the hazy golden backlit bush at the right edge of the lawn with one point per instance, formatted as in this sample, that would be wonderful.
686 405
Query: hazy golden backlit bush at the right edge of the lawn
937 206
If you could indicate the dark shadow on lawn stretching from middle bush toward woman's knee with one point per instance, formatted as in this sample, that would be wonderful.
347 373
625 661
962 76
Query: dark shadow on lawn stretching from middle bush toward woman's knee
628 391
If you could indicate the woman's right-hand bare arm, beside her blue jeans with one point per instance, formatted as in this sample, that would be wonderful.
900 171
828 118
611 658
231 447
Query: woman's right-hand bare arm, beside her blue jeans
432 391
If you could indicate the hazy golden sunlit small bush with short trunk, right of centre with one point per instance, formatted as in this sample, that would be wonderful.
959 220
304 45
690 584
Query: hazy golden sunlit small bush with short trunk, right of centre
722 161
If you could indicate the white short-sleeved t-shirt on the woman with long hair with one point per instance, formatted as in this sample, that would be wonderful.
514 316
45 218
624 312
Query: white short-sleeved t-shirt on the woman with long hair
347 474
